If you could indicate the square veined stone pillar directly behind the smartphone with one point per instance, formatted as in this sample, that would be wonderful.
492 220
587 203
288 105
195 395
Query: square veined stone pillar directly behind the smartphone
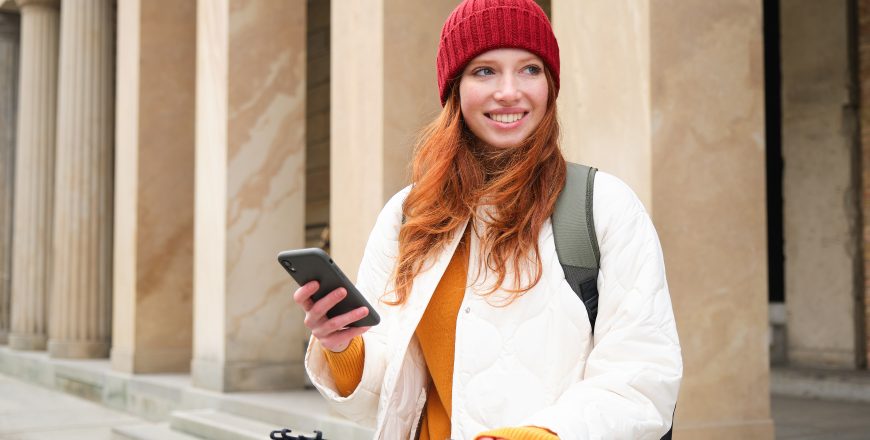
250 193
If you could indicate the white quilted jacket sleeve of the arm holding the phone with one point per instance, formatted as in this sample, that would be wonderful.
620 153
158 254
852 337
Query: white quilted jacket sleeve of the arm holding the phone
372 281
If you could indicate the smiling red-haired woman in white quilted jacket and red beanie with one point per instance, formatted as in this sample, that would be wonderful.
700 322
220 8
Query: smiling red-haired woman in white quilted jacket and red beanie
481 336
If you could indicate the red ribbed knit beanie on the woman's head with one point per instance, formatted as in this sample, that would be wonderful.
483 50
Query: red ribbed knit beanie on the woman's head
477 26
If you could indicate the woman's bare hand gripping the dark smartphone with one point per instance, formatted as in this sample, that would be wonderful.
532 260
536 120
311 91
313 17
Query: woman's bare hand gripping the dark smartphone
333 333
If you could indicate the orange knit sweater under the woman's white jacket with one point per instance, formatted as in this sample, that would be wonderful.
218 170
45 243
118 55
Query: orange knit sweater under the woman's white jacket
437 335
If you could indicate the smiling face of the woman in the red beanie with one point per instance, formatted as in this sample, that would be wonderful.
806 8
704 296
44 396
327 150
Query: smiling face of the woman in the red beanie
503 96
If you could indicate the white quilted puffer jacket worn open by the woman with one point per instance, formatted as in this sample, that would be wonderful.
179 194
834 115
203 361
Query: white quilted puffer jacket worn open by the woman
534 362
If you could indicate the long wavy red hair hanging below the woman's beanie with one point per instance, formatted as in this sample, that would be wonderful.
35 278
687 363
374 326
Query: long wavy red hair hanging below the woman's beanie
453 174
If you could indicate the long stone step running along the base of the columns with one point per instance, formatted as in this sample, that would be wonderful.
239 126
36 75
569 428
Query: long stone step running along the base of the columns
155 397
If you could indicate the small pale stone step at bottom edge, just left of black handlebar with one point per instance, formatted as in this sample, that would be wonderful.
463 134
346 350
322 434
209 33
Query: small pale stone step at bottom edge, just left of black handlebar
218 425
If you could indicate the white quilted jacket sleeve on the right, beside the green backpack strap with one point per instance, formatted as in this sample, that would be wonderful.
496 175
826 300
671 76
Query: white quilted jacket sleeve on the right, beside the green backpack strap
632 375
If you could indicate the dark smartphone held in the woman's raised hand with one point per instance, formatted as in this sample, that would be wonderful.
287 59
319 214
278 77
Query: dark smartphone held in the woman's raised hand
312 264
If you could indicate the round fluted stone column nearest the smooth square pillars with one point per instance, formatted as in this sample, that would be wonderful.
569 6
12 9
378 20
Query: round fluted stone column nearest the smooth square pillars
82 255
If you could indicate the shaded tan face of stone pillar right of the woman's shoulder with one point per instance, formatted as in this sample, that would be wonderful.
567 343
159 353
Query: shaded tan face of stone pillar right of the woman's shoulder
708 181
